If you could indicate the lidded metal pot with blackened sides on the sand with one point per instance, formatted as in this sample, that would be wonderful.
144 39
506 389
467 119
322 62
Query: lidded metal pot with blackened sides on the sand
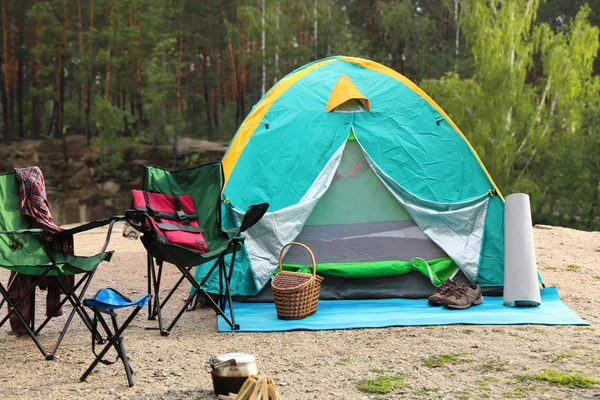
230 370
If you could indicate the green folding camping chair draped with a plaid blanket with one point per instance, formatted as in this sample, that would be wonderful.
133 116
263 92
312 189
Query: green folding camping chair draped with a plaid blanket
26 250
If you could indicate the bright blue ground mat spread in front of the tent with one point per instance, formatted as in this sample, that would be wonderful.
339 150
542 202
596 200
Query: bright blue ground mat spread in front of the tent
352 314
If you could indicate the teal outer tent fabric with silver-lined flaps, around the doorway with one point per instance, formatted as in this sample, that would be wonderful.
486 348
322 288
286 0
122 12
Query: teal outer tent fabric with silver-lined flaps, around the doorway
291 158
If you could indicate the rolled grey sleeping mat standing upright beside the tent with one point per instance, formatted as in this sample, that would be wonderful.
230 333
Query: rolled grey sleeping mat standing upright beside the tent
521 286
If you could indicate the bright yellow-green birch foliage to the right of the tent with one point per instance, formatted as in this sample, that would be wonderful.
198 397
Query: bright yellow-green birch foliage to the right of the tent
527 105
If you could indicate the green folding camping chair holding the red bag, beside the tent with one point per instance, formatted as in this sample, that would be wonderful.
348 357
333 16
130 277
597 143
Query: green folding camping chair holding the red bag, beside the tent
204 184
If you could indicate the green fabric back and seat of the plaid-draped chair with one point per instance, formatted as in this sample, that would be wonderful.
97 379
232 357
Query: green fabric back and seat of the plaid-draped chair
30 251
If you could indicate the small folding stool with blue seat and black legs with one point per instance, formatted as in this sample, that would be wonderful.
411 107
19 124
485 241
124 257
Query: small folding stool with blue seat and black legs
106 301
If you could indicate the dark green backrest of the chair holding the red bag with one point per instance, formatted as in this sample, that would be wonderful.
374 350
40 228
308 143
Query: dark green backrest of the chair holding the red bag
204 183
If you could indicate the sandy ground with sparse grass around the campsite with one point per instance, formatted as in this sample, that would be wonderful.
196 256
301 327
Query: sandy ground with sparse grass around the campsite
327 364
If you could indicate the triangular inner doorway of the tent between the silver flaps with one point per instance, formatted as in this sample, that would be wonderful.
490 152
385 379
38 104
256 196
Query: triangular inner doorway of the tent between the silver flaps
359 224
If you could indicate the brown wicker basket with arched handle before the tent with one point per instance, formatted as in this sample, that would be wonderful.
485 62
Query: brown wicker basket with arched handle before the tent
296 294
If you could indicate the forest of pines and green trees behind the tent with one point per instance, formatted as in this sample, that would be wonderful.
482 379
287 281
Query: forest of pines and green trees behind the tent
519 77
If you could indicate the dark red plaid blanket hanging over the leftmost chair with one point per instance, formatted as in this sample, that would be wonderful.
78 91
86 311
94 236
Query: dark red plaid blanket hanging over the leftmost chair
34 204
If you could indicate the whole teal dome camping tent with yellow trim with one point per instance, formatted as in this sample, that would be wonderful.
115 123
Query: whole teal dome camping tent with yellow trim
361 165
